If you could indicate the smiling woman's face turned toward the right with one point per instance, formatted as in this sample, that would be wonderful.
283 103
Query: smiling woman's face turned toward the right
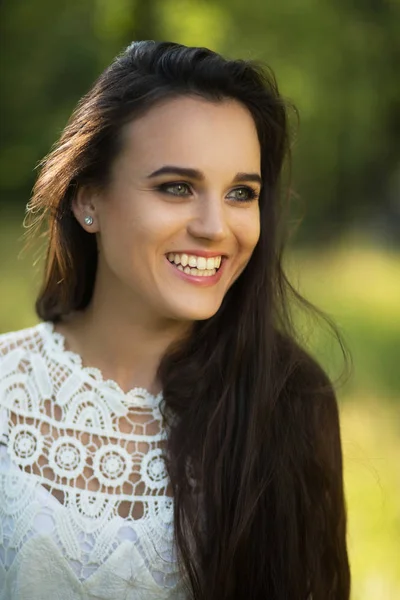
180 218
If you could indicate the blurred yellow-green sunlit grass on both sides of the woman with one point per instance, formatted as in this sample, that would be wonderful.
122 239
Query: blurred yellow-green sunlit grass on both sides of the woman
359 286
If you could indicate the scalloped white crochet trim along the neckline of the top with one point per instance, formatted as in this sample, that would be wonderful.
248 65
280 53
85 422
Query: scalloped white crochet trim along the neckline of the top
135 396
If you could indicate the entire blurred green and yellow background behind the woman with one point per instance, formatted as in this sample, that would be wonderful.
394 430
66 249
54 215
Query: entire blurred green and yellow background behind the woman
337 61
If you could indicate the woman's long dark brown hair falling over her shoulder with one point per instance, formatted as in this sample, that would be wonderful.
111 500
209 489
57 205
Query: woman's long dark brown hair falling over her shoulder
255 419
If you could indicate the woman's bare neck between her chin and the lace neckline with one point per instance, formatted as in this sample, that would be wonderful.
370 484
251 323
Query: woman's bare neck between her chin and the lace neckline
125 345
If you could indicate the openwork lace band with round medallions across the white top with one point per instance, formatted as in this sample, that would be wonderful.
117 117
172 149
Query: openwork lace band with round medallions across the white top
126 464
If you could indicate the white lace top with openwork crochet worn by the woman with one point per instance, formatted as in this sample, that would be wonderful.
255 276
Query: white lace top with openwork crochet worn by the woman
86 511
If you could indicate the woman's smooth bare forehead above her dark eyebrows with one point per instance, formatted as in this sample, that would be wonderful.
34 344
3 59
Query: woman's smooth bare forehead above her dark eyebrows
194 132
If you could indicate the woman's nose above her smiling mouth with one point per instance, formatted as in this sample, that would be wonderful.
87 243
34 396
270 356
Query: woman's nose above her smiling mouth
210 219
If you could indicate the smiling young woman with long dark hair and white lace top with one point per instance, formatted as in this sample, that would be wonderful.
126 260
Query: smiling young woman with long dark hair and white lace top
164 434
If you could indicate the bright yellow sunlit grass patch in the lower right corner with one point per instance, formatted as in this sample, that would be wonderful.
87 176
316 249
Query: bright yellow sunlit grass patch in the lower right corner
371 449
